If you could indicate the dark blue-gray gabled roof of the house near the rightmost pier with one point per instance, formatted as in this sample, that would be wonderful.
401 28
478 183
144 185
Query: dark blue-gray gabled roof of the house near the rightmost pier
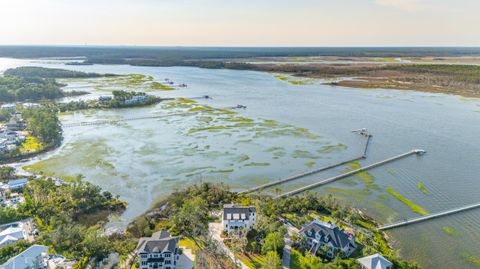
337 237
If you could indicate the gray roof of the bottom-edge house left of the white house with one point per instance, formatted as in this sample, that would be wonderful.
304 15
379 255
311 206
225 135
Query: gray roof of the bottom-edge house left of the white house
159 242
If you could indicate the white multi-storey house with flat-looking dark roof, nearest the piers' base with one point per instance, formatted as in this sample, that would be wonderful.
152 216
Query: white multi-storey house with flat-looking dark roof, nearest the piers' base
238 217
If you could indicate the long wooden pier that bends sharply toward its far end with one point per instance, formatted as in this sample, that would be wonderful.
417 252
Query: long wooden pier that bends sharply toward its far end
367 137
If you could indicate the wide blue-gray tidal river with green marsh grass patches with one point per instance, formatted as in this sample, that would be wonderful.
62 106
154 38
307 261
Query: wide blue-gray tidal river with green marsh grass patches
286 129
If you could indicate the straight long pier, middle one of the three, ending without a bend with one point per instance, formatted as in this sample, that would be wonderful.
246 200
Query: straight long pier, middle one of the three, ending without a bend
365 168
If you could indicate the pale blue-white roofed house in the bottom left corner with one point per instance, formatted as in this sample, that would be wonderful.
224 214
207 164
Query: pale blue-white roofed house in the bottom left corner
32 258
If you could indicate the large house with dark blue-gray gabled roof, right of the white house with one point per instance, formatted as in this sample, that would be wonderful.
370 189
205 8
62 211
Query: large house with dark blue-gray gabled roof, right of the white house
327 237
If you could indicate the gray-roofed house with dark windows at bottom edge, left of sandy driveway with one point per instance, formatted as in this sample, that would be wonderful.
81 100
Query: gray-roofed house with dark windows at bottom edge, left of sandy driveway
158 252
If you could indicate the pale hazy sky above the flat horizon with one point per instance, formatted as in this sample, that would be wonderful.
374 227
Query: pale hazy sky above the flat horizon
241 22
